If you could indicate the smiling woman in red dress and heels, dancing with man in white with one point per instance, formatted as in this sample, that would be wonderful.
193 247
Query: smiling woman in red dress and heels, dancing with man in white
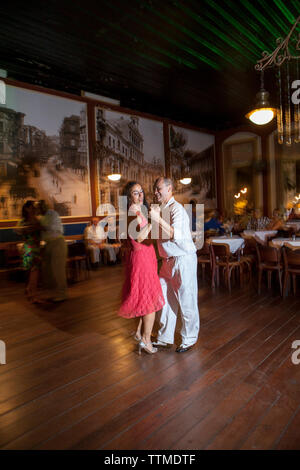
142 294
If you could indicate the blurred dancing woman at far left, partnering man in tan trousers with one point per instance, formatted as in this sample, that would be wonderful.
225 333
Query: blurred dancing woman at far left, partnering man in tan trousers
30 229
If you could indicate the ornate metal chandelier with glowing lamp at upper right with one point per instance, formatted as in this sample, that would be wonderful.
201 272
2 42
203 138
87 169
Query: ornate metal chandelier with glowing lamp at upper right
286 66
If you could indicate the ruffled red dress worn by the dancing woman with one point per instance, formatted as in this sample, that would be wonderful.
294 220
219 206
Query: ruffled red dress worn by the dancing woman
142 293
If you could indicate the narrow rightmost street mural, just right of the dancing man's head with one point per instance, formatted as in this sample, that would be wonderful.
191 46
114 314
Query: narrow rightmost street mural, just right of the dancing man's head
192 155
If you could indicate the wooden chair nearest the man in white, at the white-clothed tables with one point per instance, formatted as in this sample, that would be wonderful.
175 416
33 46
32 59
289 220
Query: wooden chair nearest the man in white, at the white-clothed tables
222 258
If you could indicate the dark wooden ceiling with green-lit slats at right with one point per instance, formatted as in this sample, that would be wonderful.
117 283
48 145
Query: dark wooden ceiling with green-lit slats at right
190 60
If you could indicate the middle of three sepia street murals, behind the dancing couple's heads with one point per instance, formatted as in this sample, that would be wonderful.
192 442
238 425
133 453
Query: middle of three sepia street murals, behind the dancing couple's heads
131 146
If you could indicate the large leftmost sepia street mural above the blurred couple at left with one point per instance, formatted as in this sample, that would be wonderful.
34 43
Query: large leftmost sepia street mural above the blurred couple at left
43 153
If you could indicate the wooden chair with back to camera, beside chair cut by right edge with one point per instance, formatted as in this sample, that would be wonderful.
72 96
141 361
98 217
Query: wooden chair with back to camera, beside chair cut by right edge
269 259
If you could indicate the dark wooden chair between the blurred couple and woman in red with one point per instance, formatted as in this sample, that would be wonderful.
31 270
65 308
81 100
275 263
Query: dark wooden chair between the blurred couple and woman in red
78 261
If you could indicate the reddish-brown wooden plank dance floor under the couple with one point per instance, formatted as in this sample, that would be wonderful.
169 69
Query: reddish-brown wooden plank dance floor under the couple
74 380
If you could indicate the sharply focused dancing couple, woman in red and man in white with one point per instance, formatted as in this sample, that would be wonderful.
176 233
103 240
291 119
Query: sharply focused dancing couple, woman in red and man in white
145 292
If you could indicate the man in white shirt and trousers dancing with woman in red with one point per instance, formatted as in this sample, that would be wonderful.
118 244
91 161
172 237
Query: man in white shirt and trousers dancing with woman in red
178 274
